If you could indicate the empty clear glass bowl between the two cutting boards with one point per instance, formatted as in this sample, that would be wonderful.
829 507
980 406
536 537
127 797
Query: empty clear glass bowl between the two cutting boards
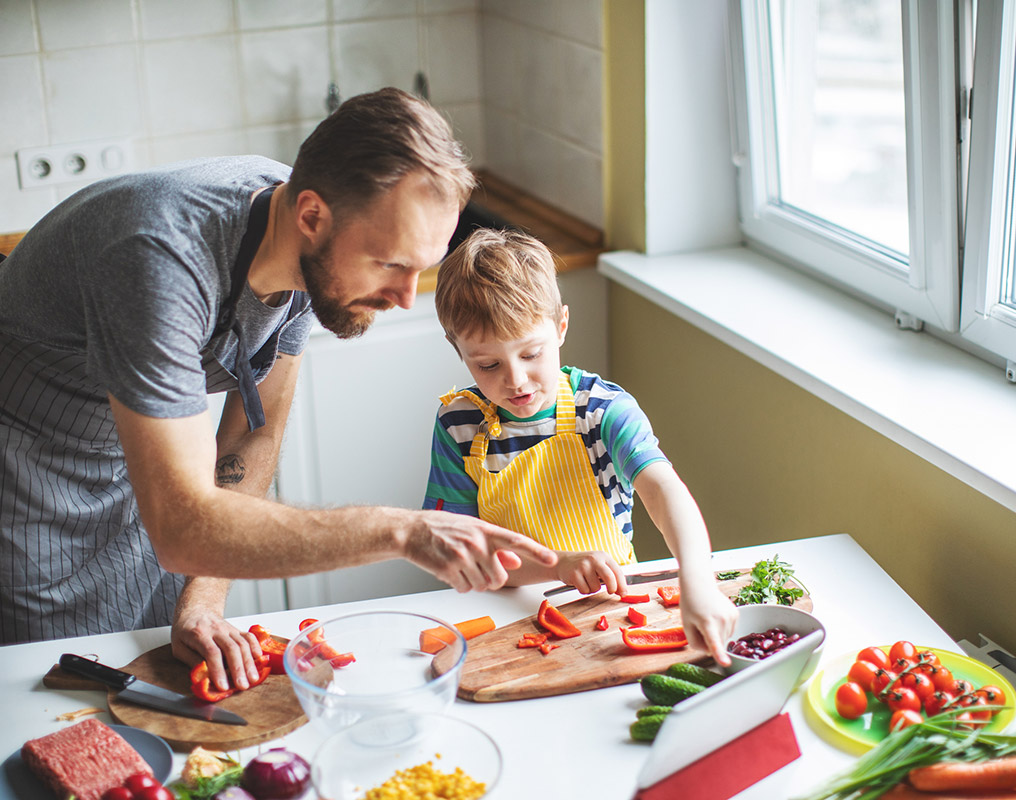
393 670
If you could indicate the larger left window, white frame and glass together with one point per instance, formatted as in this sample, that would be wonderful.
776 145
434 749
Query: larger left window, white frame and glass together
848 144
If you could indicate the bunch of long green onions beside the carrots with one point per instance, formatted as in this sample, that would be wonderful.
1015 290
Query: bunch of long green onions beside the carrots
932 742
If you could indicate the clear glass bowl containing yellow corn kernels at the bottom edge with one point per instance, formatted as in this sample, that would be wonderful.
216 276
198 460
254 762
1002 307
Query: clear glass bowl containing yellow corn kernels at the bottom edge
368 755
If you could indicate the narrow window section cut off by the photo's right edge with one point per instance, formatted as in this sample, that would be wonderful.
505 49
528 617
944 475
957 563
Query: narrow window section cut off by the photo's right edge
989 307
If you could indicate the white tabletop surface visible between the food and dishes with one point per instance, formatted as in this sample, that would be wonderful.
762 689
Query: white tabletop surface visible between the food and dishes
570 747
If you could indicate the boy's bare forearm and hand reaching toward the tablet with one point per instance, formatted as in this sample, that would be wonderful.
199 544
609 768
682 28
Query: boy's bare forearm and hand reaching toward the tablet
709 616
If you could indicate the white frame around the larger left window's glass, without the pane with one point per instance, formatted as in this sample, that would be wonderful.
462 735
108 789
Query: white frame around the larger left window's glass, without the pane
929 288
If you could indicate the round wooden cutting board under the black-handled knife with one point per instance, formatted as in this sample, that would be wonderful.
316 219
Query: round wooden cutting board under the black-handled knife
272 710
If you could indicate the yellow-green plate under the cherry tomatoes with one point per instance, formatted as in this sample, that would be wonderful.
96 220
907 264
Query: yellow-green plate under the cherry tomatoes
869 729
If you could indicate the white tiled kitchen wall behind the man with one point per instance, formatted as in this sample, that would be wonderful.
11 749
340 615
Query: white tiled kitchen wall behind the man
522 81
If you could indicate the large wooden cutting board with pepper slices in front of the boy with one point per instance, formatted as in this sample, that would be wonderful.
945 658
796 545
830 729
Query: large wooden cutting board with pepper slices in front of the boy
496 670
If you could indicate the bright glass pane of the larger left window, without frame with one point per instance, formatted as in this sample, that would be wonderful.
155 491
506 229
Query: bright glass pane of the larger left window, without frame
841 115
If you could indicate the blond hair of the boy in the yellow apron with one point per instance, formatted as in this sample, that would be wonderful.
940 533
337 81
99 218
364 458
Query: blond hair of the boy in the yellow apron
499 284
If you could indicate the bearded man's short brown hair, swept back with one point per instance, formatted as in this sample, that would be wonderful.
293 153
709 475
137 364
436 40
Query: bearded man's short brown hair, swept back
370 143
